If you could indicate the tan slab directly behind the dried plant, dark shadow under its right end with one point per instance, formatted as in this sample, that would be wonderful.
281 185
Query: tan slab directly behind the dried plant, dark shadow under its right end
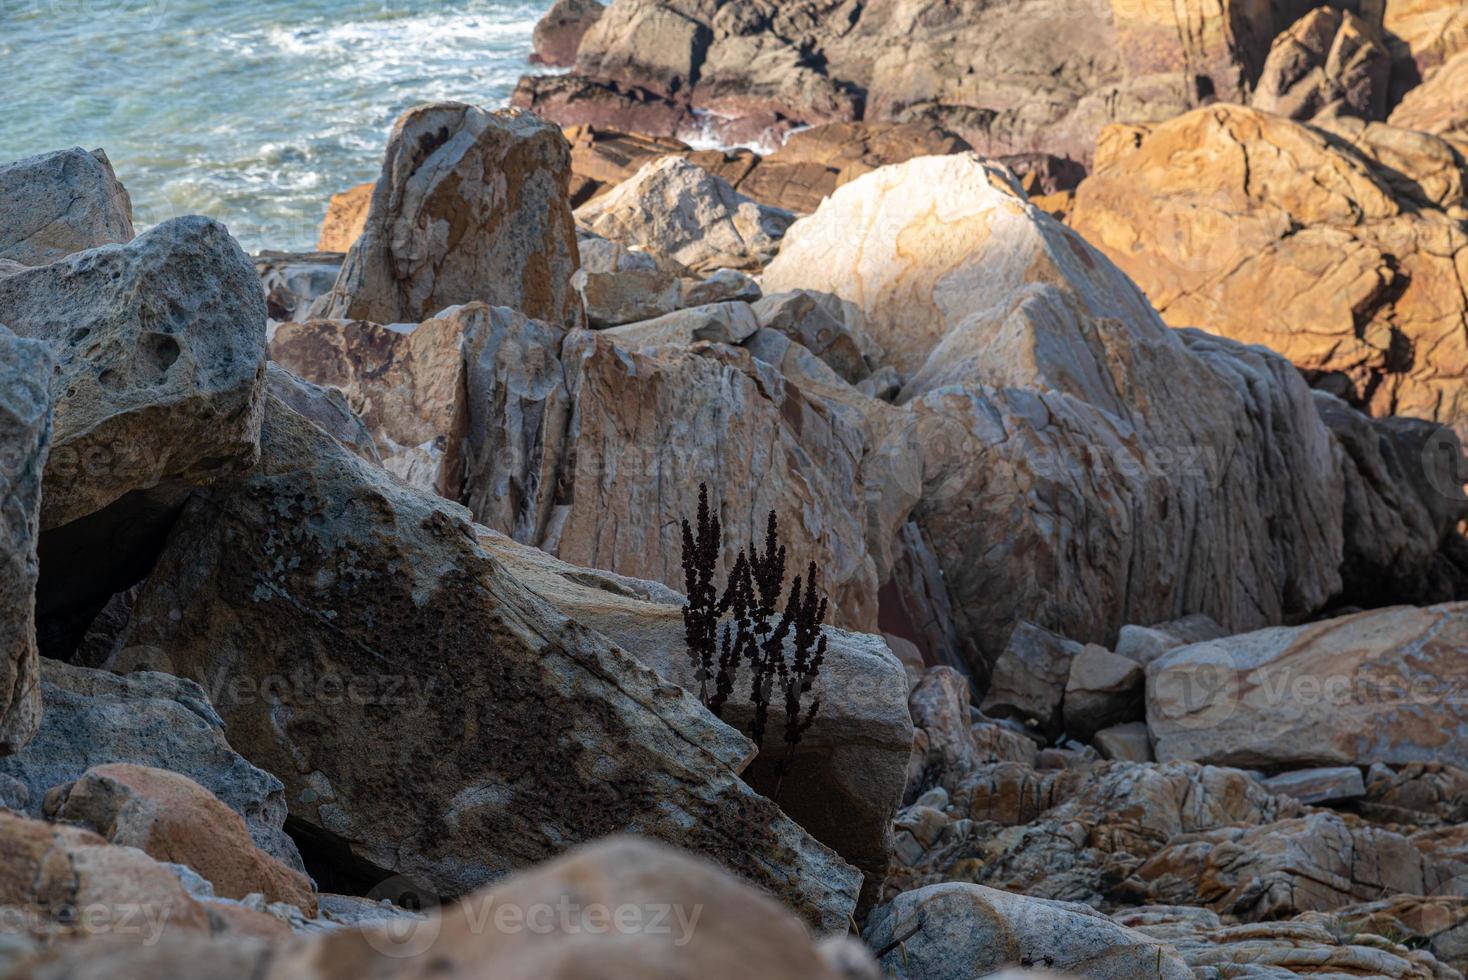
851 767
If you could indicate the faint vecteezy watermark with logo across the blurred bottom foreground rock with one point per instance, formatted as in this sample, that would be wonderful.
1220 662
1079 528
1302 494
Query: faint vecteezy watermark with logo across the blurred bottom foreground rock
415 931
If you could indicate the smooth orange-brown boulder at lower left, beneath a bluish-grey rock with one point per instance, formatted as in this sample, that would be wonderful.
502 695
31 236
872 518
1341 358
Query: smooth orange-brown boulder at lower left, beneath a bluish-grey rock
174 819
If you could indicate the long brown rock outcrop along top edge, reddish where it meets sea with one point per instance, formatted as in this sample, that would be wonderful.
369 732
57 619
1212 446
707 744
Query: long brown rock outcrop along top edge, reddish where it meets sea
1018 77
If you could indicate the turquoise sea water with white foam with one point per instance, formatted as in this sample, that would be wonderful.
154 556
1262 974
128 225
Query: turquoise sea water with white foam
253 112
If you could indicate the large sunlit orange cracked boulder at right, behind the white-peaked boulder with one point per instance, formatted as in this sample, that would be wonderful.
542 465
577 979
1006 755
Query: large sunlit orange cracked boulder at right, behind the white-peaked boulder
1271 233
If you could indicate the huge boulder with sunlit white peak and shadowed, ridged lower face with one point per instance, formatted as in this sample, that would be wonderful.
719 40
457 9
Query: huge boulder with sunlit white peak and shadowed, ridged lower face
1047 398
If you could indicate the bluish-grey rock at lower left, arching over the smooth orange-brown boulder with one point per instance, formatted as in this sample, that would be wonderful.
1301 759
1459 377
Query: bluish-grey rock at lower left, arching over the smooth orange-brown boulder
96 718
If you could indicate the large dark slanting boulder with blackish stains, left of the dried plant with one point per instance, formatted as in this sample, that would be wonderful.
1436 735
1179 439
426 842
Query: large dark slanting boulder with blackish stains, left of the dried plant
541 733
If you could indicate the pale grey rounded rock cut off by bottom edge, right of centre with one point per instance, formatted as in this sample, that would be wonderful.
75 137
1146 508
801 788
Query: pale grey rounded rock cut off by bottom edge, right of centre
961 931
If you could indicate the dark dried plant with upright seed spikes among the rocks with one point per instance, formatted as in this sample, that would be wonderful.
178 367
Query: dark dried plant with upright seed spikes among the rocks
754 635
